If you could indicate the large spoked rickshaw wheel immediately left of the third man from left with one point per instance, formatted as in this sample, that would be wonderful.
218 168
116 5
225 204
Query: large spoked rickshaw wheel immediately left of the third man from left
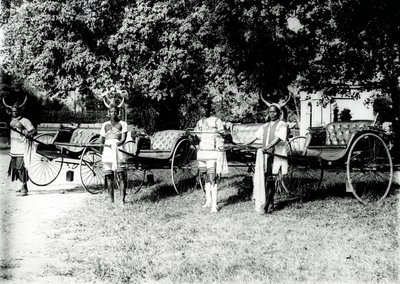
184 166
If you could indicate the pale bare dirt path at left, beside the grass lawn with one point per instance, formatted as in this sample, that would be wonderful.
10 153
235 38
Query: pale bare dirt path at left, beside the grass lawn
26 225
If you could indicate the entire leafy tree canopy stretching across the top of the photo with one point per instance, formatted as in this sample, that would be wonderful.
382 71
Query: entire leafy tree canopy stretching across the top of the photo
169 56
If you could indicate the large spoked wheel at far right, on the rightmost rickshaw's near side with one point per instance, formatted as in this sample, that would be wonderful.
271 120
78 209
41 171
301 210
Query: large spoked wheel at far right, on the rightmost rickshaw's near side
369 168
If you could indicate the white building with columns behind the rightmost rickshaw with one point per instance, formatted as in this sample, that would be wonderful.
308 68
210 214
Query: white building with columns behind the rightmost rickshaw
313 113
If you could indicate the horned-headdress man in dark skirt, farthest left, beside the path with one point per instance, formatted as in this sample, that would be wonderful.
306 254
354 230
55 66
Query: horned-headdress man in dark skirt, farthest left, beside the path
21 131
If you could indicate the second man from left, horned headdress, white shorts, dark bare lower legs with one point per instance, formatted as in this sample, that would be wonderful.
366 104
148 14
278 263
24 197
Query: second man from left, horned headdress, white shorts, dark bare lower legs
113 134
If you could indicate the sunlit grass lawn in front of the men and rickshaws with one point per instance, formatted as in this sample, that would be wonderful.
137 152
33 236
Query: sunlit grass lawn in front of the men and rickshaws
163 237
